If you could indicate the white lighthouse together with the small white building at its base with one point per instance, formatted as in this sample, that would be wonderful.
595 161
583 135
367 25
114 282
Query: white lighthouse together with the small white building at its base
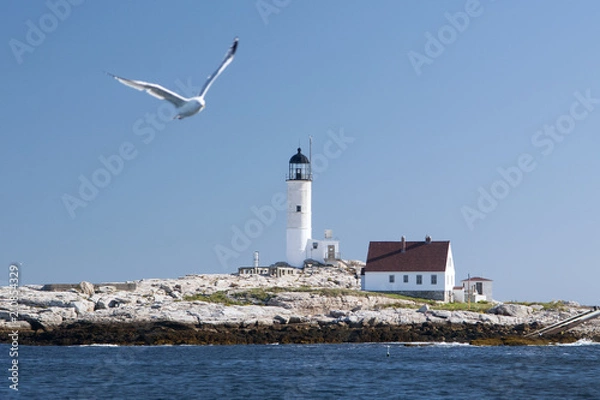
300 245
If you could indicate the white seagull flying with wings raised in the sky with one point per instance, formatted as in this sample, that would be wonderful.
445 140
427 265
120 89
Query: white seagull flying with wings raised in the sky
186 106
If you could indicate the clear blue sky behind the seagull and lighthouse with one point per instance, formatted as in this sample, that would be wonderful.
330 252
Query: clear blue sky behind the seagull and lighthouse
428 136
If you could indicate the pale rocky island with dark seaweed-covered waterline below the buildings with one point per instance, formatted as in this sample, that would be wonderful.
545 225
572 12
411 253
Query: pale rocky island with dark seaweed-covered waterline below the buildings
320 305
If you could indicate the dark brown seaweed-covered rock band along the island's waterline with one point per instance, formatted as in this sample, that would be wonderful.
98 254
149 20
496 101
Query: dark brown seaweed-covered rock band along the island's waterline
175 333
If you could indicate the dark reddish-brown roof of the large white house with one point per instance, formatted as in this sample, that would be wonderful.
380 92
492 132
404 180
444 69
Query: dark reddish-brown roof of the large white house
419 256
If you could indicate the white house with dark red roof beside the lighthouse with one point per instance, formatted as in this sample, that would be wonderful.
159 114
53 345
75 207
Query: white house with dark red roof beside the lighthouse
418 269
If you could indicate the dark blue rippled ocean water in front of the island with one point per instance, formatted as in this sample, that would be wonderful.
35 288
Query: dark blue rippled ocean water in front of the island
346 371
